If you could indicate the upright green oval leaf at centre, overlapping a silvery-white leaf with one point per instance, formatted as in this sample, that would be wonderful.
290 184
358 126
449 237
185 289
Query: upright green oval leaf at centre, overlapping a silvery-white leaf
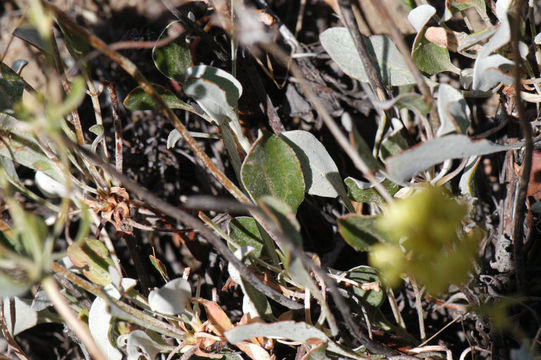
272 168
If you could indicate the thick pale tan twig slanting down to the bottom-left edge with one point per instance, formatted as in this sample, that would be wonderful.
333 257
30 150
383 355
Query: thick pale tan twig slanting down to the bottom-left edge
74 323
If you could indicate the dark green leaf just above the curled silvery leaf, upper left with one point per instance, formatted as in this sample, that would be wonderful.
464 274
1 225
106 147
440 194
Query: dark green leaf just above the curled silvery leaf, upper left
174 58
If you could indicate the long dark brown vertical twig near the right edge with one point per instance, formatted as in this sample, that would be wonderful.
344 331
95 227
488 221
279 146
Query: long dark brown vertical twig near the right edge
526 129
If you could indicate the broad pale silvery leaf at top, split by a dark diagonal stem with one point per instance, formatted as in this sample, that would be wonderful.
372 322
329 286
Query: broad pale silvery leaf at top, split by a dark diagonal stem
390 64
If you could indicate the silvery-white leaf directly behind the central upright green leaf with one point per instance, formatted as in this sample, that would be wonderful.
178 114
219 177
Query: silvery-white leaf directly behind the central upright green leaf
321 175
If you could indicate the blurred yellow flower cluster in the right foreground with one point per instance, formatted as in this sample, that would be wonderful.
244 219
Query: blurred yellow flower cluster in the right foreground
426 238
